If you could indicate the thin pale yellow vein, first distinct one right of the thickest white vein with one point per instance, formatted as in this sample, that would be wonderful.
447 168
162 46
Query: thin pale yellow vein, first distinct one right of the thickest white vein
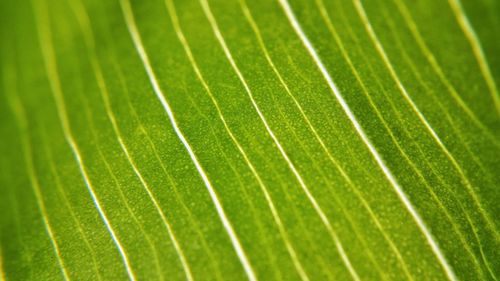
383 54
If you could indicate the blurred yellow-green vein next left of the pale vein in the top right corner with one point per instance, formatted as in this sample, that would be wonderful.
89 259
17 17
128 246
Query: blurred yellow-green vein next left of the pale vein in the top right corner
437 68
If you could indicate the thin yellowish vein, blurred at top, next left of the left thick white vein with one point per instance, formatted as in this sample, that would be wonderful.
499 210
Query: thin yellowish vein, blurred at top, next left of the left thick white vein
84 22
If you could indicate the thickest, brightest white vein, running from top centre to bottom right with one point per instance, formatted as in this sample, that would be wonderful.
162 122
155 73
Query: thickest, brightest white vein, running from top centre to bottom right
365 139
